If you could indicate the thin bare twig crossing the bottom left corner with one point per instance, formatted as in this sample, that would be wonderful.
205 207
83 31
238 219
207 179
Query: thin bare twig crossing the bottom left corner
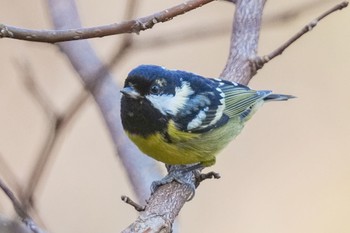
21 212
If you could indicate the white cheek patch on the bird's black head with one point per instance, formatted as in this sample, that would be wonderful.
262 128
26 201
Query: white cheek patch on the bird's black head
171 104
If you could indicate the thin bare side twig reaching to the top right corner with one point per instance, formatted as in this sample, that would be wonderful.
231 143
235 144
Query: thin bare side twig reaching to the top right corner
259 62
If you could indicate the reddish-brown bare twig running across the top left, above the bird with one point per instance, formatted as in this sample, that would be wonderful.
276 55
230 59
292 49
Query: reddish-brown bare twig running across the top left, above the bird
130 26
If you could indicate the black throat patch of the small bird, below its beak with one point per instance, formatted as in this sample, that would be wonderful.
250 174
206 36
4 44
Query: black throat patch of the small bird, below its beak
140 117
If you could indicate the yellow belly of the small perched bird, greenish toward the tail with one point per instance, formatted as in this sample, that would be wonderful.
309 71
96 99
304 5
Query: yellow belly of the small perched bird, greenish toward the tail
188 148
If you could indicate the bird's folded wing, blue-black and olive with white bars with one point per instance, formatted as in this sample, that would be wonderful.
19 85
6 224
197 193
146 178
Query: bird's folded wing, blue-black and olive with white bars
212 108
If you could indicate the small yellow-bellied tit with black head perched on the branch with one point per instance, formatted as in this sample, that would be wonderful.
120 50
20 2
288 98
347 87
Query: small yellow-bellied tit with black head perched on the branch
178 117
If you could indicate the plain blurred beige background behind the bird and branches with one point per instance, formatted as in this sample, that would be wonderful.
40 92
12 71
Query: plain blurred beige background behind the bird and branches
289 170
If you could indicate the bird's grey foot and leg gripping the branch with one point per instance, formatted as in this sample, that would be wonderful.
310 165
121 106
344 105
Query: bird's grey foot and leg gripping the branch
179 175
